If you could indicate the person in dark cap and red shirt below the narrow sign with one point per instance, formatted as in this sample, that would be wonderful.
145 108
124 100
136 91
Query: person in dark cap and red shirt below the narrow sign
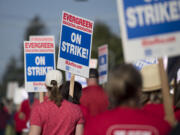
93 97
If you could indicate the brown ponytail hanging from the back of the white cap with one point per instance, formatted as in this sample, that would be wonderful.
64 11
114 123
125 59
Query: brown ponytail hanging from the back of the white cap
55 94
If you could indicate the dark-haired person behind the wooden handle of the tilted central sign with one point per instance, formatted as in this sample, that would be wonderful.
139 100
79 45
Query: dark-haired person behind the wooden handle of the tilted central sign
76 97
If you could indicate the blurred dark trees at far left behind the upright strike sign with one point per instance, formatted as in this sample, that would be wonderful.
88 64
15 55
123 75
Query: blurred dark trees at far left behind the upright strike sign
13 72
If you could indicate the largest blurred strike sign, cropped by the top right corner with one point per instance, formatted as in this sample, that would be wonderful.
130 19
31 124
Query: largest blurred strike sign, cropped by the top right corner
149 28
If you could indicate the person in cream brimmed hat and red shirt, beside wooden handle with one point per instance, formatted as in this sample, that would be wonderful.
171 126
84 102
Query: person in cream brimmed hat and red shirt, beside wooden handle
151 96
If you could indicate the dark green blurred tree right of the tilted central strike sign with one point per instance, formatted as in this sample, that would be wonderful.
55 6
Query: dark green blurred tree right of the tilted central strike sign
102 35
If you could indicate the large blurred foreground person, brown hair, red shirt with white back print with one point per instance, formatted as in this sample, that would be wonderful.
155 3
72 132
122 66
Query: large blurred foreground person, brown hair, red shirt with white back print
125 118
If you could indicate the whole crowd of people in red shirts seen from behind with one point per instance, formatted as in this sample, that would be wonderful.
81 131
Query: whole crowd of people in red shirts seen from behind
131 104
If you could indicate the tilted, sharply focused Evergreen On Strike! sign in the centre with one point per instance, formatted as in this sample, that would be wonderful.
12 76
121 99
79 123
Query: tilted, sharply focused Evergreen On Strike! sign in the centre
75 44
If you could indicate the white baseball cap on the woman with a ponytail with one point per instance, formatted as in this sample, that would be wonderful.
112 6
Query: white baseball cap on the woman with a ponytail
54 75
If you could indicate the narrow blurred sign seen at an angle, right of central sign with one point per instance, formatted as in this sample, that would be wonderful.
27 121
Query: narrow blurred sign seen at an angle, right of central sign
103 64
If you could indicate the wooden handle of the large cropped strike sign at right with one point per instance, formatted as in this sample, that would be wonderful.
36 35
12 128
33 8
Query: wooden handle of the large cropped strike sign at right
167 101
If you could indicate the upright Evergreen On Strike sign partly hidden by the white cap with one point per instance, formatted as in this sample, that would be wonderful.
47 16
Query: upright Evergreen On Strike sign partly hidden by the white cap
39 58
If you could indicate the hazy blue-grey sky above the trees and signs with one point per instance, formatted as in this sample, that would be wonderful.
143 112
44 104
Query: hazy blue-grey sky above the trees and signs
16 14
